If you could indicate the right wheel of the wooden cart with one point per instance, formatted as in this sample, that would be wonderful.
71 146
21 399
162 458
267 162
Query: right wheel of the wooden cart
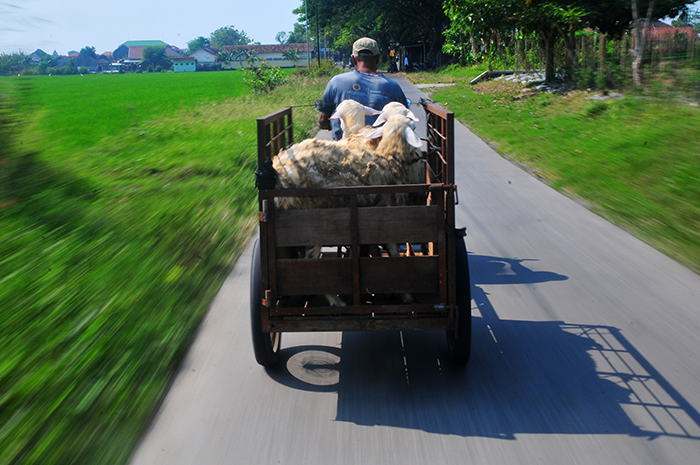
459 342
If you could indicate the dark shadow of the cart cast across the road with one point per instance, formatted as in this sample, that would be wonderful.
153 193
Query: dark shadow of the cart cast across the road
524 377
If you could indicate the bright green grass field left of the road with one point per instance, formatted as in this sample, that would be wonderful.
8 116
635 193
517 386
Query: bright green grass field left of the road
117 228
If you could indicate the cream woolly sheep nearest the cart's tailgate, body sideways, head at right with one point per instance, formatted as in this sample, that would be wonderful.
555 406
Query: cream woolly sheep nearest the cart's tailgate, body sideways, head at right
316 163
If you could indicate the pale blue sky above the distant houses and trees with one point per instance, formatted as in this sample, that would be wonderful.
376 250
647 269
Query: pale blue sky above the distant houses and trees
65 25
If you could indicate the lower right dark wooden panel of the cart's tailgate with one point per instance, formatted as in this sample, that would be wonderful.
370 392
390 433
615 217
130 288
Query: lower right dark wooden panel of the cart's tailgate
402 274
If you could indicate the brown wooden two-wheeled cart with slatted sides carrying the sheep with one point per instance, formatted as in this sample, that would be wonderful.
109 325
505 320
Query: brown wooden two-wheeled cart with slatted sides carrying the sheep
286 289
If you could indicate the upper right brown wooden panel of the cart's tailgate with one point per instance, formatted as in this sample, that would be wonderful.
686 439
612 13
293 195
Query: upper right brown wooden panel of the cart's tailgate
383 225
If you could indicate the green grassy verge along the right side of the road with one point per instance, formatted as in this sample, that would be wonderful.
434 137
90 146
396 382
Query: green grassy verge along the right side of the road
635 160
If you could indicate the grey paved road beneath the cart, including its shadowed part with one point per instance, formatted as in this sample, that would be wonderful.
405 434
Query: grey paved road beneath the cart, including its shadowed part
585 351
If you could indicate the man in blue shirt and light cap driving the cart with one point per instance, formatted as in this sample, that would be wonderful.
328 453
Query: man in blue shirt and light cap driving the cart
364 85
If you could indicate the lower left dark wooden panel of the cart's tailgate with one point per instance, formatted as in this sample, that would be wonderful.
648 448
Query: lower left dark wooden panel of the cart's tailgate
317 276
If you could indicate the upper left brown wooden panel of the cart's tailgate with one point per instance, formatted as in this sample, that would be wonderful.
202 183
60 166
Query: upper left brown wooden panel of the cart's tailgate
327 226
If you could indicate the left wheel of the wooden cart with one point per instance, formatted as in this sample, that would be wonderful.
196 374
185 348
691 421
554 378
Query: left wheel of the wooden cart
265 345
